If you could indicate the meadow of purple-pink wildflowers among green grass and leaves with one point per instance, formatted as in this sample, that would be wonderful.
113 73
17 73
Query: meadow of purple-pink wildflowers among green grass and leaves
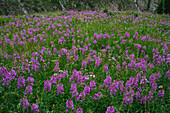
85 61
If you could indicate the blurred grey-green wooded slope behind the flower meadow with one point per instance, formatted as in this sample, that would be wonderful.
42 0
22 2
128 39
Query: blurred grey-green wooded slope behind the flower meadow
14 7
